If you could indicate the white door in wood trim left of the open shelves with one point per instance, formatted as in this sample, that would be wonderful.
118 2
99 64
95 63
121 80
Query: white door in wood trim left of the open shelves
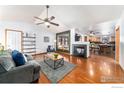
13 39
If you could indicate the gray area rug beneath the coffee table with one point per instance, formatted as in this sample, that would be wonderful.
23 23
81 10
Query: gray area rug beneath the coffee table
56 75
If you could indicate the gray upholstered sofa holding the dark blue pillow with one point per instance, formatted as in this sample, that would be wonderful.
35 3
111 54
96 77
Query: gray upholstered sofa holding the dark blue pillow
27 73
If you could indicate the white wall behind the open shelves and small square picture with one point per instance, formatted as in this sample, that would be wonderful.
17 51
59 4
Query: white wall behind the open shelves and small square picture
30 28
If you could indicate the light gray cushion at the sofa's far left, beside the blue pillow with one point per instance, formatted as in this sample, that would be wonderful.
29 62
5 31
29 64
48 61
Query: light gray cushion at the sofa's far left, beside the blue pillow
6 63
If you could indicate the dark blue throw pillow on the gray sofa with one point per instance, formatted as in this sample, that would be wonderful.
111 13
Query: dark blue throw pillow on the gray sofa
18 58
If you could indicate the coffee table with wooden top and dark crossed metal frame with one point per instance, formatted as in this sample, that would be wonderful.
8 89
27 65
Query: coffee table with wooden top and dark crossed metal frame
53 62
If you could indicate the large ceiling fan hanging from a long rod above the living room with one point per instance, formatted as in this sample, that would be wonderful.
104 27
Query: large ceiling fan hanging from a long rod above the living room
48 20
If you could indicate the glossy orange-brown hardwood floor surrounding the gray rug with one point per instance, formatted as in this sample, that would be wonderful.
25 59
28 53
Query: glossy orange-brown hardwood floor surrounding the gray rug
95 69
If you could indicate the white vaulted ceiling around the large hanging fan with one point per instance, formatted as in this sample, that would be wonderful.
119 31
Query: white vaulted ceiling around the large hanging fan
68 16
